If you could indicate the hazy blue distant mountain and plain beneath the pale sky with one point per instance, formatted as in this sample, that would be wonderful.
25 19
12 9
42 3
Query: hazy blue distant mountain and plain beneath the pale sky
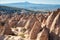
31 6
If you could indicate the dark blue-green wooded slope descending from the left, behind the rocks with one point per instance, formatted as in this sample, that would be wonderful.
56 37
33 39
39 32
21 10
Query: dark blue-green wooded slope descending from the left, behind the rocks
10 10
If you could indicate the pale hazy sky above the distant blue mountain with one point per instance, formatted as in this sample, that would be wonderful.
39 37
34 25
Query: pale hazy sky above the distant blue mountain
32 1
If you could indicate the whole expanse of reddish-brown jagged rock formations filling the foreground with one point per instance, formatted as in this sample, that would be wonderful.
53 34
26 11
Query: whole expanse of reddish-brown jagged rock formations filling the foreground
31 26
